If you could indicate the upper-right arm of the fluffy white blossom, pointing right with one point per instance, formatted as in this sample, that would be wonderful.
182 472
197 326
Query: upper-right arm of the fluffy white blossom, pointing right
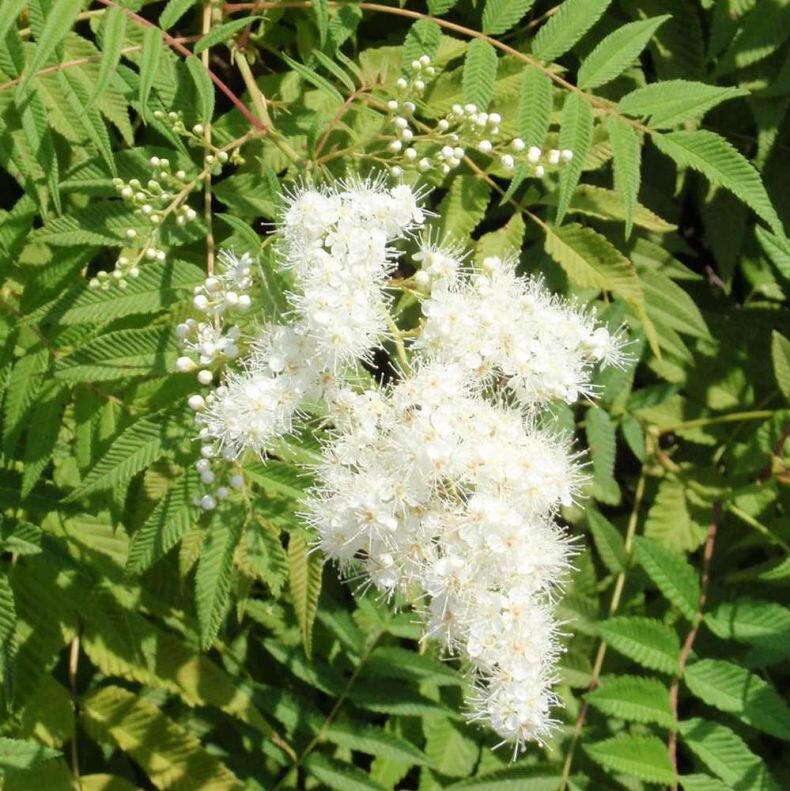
499 326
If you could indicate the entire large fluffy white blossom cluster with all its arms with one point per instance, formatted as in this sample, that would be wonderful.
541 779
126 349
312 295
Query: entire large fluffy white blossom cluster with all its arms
440 487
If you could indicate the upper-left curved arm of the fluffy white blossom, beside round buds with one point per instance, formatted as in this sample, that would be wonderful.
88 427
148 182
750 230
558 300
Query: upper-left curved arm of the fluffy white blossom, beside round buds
335 243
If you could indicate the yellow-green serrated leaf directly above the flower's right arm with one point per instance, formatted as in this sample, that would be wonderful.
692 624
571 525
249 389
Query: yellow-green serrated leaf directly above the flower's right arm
592 261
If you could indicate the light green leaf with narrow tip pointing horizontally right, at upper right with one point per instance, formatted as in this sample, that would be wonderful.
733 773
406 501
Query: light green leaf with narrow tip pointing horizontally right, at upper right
672 102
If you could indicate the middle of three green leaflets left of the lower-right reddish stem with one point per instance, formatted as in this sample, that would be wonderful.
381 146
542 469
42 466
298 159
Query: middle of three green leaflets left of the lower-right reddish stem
633 698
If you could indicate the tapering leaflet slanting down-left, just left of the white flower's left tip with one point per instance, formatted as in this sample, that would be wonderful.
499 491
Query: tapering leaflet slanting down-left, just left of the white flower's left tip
134 450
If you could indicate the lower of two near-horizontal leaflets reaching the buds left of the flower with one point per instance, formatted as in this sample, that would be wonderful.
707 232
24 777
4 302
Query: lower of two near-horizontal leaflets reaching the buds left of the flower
116 355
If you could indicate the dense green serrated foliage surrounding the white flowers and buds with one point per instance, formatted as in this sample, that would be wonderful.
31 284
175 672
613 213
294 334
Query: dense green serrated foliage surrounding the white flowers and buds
144 644
